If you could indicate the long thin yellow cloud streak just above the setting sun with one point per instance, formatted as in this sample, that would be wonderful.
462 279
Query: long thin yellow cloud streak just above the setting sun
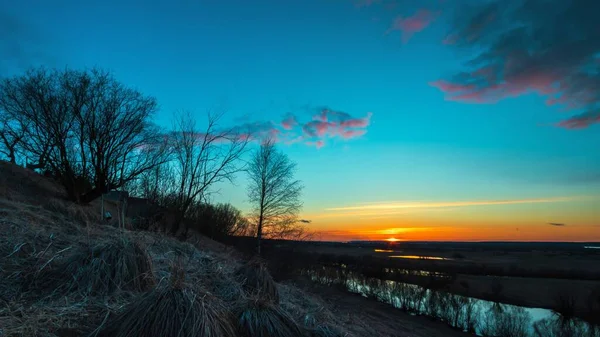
422 205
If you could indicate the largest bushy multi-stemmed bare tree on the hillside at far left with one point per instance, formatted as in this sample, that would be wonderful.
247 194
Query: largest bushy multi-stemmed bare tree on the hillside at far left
89 129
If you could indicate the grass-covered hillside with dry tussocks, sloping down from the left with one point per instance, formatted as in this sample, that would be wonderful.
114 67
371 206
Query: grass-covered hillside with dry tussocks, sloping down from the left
62 273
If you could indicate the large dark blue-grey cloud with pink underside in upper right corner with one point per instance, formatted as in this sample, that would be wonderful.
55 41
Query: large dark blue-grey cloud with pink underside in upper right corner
551 48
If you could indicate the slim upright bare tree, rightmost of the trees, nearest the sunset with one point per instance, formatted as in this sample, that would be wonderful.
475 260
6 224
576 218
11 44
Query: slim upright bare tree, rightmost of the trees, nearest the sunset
274 193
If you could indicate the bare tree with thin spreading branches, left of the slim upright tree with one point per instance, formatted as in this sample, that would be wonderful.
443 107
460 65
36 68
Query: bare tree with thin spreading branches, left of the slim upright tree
203 158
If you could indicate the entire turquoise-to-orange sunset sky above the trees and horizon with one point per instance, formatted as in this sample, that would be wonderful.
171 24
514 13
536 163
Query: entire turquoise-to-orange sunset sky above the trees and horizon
415 120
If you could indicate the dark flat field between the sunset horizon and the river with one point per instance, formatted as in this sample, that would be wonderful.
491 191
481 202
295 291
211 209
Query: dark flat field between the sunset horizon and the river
536 275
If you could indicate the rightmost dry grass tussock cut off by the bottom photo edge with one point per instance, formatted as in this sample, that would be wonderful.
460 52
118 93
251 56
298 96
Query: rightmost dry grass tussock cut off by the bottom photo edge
260 318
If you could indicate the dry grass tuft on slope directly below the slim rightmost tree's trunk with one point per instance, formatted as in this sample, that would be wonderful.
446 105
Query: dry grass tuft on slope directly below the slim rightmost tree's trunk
257 281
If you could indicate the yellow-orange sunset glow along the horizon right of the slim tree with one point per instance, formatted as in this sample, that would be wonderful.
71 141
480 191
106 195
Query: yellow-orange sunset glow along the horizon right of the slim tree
497 220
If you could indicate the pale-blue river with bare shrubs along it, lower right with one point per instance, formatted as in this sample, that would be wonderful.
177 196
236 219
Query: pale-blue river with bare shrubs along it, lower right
484 318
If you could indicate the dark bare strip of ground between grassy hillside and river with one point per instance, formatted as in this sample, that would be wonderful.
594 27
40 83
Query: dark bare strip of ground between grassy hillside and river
368 318
